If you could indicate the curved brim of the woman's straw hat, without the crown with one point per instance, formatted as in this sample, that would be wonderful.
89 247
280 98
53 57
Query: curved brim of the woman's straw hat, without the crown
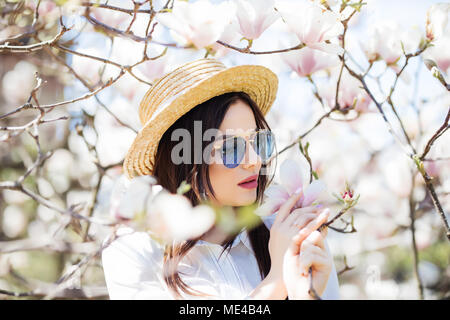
259 82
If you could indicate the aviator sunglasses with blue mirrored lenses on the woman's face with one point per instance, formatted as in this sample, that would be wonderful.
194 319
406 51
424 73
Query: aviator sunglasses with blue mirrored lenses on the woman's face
232 148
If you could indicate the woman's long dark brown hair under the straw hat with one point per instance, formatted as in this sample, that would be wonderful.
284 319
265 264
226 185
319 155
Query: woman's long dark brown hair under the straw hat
169 175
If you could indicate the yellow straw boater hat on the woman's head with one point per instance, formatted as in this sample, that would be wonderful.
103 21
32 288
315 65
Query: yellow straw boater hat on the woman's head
187 86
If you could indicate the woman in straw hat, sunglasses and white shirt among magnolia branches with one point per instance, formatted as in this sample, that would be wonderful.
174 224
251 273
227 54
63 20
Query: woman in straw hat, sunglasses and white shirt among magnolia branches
255 263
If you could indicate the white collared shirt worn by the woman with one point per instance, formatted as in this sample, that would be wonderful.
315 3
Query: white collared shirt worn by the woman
133 264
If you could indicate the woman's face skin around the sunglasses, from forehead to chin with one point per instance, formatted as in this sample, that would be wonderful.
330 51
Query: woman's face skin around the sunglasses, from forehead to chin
225 181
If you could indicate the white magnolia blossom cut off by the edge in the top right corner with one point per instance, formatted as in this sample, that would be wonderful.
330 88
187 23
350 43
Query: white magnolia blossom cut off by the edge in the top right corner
437 20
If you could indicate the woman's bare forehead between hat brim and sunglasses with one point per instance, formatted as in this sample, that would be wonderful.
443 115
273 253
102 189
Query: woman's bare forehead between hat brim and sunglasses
239 118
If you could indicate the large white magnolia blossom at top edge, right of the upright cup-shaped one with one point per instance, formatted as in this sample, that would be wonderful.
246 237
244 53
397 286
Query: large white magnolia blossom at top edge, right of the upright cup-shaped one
312 24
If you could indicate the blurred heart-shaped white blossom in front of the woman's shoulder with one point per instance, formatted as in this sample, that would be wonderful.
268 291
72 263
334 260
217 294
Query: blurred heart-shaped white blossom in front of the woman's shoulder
171 218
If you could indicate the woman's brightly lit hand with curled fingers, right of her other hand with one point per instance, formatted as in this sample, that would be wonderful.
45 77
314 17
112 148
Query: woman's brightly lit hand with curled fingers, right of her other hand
303 254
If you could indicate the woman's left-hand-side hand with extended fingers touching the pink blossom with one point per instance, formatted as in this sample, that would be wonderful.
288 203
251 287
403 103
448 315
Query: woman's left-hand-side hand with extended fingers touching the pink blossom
285 227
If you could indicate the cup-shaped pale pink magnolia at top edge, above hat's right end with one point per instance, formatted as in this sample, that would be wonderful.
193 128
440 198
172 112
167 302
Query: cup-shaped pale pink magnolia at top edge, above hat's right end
255 16
